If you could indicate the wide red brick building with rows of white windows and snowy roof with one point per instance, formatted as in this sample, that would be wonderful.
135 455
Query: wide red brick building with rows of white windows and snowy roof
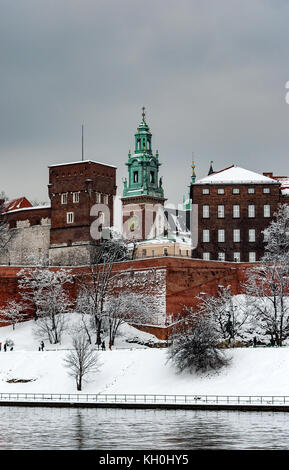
234 207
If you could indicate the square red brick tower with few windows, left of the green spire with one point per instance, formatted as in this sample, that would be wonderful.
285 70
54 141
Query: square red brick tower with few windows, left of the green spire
80 193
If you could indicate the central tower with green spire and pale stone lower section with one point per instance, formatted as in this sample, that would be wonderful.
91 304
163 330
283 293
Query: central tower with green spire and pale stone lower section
143 194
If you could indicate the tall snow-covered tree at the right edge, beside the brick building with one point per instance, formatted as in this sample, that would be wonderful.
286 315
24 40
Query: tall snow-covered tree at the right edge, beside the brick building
267 282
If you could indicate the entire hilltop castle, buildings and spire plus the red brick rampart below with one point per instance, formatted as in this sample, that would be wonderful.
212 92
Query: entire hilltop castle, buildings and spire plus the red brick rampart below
234 206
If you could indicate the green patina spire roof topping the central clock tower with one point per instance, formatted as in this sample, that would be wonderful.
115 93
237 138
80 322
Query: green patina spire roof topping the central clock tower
143 166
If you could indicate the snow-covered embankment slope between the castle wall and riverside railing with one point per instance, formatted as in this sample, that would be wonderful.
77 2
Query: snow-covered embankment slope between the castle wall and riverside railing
260 371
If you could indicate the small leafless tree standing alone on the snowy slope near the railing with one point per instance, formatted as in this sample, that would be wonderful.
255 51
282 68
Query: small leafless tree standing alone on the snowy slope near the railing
82 361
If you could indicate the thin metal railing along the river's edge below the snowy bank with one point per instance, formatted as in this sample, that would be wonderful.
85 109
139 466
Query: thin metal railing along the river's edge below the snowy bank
108 398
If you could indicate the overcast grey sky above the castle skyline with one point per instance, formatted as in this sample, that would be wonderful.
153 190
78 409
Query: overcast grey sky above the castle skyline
211 74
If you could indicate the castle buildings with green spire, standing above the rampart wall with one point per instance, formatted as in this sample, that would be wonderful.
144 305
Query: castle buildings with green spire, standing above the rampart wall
234 206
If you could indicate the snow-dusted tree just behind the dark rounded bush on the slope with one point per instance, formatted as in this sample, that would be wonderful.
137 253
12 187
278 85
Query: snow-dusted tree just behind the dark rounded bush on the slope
229 314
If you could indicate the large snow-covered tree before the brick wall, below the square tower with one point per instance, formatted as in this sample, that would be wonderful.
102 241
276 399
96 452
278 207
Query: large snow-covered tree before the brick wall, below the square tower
45 289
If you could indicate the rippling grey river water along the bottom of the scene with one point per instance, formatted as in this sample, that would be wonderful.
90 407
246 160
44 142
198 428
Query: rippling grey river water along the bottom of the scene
115 429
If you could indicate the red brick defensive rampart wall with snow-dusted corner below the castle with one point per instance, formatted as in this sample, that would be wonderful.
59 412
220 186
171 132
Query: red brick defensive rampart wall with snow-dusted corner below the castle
170 283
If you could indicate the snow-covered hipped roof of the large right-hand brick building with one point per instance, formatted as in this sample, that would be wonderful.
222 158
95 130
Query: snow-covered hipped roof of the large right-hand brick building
236 175
